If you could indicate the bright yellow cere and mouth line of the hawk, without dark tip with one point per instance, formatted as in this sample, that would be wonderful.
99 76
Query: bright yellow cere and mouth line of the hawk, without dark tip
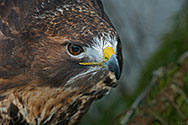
107 53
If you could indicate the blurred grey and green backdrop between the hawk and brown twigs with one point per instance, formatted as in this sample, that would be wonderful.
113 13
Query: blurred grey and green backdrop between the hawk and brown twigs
154 33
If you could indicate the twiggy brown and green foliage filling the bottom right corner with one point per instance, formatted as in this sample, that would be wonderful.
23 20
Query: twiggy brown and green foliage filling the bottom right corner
168 100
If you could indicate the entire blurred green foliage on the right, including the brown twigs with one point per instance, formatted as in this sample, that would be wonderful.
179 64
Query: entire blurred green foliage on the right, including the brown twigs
168 101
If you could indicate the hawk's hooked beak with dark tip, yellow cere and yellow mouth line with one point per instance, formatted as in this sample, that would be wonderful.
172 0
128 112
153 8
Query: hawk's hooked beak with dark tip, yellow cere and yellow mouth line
110 62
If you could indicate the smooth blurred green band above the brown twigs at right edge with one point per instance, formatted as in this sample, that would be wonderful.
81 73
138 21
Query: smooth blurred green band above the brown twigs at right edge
173 45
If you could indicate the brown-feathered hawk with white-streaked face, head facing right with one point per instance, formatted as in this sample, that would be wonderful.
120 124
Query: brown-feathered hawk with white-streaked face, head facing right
56 57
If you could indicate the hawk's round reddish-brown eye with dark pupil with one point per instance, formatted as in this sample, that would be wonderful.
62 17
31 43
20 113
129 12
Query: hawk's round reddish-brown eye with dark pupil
75 49
